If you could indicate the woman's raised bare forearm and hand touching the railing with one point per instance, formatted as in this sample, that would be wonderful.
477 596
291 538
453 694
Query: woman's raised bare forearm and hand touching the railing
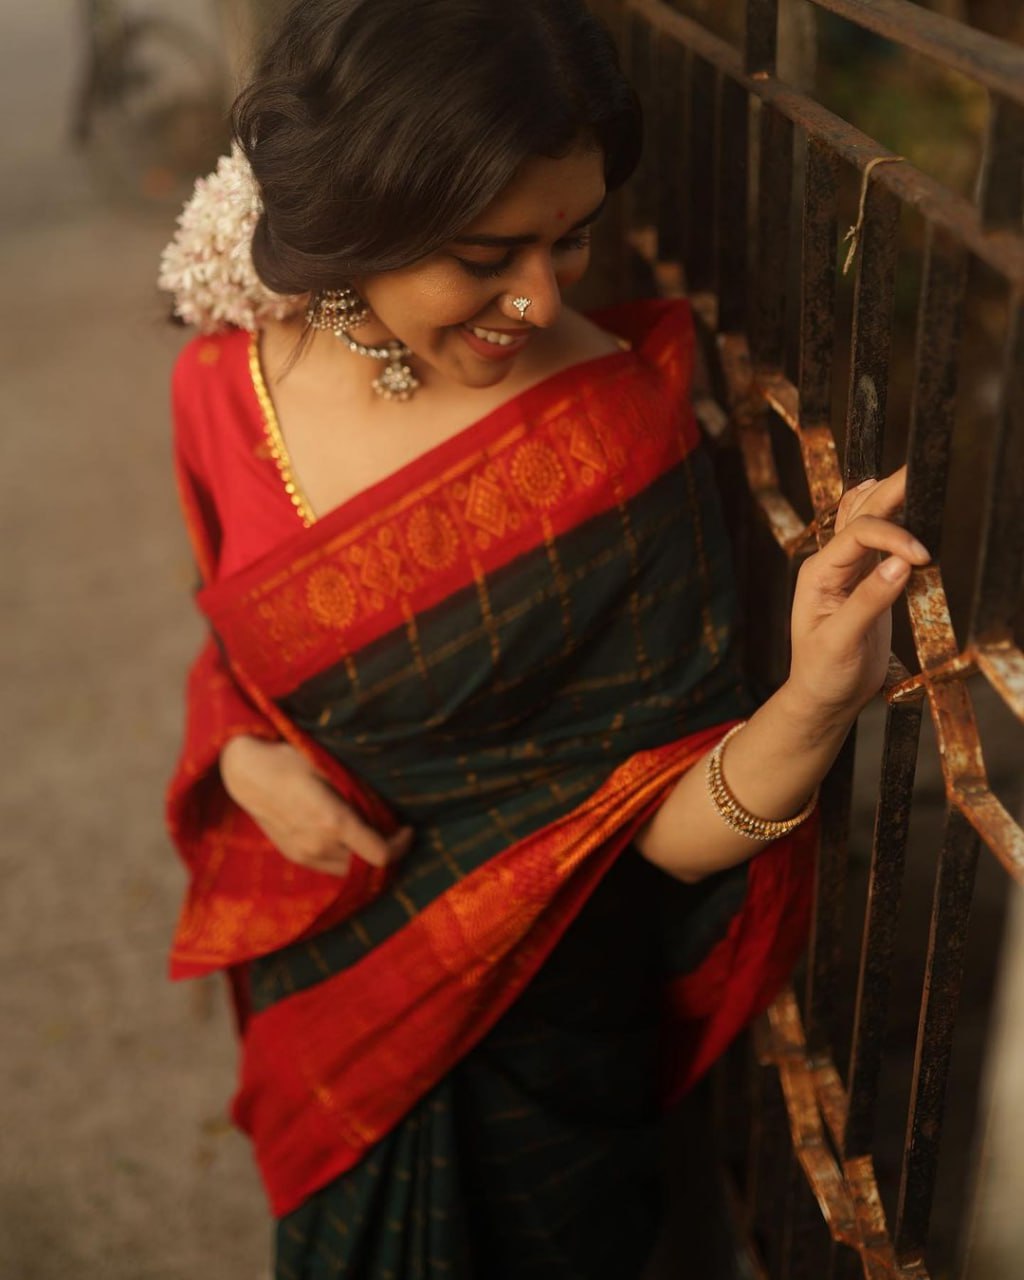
842 638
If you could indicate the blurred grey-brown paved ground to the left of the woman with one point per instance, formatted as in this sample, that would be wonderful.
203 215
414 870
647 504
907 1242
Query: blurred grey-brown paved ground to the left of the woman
116 1163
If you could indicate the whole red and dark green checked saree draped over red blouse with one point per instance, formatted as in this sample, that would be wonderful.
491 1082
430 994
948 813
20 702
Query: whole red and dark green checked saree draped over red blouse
516 646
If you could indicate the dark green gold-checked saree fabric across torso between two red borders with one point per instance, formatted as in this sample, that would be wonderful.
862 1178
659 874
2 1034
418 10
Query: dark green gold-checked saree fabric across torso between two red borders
493 715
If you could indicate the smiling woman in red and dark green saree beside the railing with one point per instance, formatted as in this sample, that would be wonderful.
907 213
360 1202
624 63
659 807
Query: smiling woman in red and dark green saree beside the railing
473 632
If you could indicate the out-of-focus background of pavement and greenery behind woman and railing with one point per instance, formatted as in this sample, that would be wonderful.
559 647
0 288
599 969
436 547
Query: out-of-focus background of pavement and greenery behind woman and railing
116 1160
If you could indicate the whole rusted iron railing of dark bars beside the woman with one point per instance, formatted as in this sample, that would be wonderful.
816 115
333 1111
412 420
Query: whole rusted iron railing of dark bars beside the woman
732 152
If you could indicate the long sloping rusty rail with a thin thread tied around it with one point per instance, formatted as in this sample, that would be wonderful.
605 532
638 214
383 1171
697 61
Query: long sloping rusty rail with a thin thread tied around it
935 203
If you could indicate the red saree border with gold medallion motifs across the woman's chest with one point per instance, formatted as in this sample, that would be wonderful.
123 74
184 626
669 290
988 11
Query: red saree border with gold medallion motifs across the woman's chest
532 482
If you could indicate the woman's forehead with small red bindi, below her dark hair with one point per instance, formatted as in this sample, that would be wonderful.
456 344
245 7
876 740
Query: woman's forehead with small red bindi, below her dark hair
545 193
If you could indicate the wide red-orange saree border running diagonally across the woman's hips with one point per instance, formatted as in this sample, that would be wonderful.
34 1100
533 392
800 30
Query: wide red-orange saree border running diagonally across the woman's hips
331 1071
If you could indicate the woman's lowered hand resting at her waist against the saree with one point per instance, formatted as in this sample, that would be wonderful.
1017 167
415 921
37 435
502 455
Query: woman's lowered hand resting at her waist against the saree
300 812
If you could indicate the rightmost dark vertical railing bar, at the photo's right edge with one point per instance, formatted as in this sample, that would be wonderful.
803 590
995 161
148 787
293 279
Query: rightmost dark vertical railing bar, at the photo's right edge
1003 543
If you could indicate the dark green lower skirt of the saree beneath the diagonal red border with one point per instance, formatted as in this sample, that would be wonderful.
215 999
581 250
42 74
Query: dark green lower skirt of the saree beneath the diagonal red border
548 1127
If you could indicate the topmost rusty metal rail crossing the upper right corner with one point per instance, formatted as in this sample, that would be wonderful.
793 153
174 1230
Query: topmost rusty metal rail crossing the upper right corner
994 63
